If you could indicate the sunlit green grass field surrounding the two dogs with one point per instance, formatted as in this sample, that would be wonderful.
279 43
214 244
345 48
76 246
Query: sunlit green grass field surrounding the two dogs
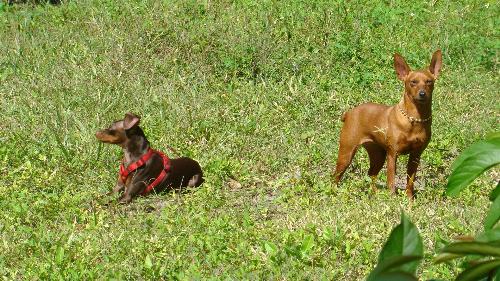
254 91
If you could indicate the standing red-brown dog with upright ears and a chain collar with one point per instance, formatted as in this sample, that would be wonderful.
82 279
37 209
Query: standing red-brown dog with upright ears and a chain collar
388 131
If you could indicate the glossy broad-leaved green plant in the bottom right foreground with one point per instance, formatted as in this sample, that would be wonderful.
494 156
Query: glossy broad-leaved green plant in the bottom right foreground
400 255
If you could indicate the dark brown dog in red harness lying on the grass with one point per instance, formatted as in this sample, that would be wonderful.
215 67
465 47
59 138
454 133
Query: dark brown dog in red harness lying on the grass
144 169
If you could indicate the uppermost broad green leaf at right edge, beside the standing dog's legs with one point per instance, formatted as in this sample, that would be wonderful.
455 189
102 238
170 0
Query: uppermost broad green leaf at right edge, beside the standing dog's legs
472 163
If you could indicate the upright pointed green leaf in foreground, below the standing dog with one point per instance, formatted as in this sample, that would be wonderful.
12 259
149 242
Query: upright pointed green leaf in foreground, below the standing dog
404 240
